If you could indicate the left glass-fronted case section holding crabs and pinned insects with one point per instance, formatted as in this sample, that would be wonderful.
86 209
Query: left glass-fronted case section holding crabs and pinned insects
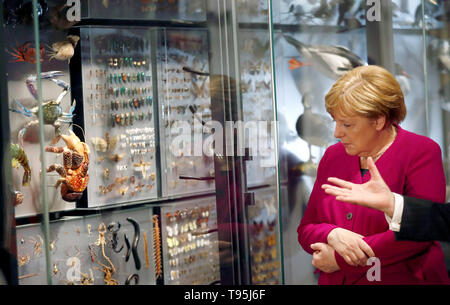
118 173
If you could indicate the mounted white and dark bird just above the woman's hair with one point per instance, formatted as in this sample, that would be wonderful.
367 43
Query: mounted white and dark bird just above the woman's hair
332 61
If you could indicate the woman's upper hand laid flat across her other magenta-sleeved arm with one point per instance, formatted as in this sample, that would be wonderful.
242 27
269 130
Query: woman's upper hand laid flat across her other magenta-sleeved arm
350 246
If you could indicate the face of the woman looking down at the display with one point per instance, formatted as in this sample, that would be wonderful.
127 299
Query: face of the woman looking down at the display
359 135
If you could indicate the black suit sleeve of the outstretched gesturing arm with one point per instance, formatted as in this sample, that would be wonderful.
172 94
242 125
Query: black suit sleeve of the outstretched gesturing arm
424 220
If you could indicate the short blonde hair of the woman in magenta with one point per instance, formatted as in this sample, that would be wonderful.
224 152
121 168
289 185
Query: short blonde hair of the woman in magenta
368 91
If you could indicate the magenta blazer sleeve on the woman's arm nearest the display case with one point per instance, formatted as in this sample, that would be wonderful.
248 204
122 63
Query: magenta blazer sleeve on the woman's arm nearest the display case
311 230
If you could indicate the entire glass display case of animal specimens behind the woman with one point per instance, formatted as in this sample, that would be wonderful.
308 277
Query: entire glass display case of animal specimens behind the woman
177 142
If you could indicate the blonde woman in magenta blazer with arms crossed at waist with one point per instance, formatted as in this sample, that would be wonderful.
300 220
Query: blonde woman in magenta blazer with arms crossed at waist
367 105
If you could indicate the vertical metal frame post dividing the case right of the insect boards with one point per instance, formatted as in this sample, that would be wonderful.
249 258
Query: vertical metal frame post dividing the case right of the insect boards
229 168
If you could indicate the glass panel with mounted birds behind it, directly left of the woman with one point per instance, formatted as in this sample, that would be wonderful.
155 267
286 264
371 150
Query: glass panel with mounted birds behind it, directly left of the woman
306 37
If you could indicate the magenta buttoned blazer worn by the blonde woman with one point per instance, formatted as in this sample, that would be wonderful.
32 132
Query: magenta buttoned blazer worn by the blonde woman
411 166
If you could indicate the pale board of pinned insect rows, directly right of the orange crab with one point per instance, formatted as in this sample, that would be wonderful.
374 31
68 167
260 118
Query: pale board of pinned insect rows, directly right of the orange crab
118 105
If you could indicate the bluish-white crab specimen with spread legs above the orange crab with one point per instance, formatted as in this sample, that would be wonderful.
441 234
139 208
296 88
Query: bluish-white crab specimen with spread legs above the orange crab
52 111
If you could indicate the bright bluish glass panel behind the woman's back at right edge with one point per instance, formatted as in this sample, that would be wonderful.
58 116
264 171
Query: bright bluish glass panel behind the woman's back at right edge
421 48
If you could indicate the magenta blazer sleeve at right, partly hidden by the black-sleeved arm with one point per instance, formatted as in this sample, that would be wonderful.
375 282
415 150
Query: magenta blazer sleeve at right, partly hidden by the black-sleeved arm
424 179
